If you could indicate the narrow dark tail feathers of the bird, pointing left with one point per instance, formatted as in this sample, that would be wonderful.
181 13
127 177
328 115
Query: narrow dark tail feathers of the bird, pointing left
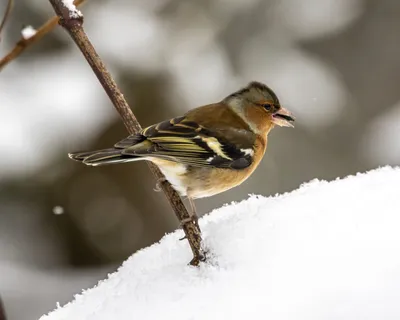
103 157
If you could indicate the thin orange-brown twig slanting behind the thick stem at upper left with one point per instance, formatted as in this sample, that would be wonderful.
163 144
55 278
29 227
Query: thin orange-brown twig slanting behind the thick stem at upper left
23 43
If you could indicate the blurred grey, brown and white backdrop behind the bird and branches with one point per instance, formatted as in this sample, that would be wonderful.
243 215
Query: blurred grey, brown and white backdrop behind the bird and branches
63 226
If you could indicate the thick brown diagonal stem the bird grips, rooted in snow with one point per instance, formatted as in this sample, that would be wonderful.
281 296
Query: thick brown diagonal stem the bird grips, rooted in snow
72 20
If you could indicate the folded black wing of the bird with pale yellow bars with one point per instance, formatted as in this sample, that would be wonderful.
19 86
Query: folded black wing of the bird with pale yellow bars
186 141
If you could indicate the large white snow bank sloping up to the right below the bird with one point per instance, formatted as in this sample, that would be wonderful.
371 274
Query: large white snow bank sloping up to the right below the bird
328 250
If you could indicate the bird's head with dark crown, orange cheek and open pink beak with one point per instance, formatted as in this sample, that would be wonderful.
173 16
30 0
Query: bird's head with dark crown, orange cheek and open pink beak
260 104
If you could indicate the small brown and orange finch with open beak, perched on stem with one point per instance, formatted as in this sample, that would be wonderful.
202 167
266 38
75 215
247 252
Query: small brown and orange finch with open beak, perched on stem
208 150
